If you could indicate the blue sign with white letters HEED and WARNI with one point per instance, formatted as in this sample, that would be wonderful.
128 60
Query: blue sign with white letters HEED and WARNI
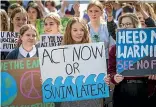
136 51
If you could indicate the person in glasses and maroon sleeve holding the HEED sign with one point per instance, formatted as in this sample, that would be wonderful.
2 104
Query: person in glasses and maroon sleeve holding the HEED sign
128 91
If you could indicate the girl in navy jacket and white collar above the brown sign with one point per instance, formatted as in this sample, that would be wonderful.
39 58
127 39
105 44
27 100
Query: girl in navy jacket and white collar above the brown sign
26 48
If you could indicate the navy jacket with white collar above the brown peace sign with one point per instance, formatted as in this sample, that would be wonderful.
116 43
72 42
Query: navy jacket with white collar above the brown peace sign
20 53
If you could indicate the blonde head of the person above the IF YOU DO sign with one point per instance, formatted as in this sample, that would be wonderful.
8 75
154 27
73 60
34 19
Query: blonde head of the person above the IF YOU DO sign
52 24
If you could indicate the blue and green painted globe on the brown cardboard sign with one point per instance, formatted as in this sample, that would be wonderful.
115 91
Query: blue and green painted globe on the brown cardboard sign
8 88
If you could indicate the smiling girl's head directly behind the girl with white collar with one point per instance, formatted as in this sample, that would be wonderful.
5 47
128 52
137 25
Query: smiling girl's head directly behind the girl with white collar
18 18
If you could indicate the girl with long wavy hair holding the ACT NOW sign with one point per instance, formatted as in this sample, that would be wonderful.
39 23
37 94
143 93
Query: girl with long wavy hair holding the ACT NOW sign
77 33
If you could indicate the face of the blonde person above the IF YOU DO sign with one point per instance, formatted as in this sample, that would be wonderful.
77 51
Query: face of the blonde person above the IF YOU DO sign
50 26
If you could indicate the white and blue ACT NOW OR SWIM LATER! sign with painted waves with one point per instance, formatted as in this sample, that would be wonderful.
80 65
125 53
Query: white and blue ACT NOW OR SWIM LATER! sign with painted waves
73 72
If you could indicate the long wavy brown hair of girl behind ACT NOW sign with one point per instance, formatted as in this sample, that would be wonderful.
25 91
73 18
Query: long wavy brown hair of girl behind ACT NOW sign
67 39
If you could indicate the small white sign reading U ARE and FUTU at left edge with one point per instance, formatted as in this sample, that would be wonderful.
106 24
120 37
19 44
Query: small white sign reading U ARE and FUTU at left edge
8 41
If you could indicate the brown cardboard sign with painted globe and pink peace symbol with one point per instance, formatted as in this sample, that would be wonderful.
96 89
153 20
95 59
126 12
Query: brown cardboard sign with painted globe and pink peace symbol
21 84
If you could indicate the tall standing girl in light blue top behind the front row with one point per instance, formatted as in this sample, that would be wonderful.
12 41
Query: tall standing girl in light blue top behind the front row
97 27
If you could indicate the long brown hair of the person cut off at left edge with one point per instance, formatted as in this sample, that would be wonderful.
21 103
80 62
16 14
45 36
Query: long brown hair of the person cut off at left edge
4 20
